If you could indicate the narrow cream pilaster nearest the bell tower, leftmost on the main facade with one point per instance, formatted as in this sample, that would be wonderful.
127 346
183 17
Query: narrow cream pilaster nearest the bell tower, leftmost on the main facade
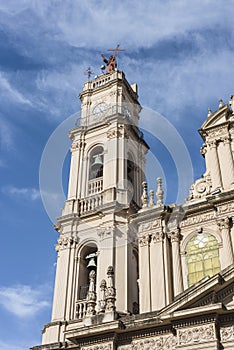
144 274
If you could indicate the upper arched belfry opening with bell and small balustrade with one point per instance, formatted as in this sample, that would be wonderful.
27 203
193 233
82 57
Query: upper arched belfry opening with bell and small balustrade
96 164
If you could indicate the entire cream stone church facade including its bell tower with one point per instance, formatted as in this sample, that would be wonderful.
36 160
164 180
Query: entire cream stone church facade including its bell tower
132 272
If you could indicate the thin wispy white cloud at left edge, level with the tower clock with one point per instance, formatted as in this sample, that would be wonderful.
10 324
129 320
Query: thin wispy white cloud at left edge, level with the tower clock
12 93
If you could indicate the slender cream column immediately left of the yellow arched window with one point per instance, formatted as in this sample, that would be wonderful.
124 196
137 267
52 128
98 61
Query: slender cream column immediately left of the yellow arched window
176 261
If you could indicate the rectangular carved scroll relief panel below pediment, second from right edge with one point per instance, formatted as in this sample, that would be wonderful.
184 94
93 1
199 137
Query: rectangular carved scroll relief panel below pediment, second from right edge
196 334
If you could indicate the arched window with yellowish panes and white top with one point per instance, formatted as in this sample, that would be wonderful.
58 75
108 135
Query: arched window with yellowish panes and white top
202 255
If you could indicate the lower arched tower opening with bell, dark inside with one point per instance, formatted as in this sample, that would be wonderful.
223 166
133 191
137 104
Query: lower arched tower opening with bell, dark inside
87 262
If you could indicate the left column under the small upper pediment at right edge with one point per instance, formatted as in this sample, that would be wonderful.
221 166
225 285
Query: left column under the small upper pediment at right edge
214 168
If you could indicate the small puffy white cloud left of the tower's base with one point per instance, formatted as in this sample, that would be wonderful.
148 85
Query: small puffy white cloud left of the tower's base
23 300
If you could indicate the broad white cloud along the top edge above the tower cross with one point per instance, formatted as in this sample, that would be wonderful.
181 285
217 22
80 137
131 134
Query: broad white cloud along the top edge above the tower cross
96 23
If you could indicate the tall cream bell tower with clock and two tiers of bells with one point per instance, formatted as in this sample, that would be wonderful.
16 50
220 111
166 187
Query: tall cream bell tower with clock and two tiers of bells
97 249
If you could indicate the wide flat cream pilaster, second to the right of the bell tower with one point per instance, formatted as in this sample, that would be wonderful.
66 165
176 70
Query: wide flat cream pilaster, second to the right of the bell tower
157 267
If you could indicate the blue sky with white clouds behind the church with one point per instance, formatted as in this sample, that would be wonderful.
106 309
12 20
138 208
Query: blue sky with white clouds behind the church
181 55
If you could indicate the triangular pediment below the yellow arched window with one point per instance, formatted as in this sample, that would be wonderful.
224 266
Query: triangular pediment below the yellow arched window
211 293
